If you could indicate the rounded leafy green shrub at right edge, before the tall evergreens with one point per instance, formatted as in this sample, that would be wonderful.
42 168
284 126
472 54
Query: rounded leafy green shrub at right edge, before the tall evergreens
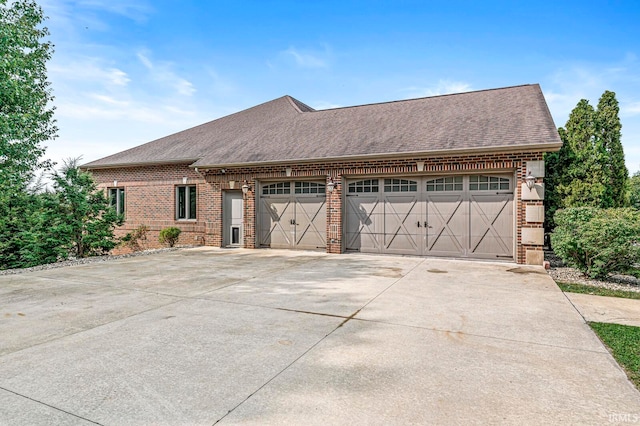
598 241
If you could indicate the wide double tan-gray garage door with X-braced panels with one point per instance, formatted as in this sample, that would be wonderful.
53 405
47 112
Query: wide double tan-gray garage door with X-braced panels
457 216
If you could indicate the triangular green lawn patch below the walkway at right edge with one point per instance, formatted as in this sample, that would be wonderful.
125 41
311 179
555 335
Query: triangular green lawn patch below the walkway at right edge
624 343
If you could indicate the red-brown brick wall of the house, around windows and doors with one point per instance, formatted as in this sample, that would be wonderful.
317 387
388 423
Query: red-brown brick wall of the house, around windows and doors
150 192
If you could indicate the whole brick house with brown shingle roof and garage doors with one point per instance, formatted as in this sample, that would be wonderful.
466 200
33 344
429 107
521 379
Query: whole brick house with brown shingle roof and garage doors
456 175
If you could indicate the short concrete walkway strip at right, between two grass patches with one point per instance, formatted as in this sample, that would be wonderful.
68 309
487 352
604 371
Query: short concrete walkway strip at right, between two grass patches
614 310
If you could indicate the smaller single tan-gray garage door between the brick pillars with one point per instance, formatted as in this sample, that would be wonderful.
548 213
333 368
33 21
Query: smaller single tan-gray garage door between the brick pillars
292 215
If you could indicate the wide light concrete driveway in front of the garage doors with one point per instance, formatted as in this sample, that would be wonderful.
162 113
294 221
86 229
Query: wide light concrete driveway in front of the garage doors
206 336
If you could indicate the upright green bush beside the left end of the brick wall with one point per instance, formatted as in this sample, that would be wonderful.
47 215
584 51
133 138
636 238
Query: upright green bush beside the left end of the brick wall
89 224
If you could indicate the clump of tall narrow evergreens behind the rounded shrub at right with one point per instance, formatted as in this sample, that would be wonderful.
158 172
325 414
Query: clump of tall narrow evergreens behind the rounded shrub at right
589 169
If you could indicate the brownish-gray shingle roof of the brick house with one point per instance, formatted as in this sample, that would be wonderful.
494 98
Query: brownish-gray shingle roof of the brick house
286 130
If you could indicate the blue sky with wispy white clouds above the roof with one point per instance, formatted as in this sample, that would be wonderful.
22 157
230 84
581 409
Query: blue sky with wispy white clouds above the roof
127 72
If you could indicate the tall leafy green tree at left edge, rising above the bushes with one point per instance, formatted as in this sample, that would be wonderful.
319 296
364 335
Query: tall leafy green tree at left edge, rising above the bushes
26 119
